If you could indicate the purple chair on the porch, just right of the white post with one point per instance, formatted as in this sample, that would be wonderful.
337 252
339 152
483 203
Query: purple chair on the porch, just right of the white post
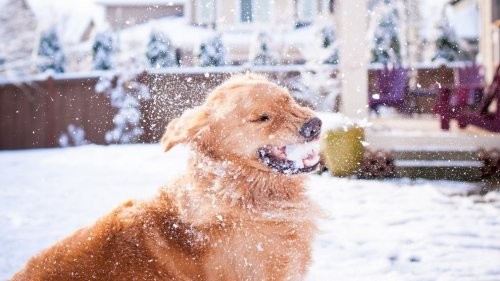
390 89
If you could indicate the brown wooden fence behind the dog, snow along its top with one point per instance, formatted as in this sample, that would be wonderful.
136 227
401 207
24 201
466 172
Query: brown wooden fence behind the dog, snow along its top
36 112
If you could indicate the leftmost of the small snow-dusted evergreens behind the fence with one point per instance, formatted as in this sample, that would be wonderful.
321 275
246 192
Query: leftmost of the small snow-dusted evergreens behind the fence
50 53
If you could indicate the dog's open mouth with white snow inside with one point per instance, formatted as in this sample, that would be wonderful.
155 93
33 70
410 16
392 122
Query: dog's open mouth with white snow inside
293 158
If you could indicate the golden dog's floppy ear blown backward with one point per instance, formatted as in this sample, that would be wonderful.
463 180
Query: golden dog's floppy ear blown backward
185 128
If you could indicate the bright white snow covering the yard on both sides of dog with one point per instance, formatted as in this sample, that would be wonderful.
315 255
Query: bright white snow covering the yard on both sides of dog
372 230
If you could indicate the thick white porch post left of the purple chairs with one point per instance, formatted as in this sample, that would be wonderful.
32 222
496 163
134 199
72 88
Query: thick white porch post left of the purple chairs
353 56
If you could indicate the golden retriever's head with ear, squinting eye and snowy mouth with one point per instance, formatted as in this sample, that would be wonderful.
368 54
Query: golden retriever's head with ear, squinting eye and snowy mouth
250 121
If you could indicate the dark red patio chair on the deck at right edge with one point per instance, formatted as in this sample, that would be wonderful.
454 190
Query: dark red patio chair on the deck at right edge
455 103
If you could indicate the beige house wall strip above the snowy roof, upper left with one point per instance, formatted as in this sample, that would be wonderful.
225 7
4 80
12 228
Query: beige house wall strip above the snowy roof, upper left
123 16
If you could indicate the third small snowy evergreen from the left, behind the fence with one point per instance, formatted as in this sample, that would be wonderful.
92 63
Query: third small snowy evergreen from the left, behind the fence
161 52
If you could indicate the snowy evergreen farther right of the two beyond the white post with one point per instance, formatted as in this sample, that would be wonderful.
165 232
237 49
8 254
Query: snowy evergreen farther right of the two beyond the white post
447 45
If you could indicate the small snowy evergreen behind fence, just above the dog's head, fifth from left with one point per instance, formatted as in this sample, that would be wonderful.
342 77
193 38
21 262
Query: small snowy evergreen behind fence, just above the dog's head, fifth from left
261 52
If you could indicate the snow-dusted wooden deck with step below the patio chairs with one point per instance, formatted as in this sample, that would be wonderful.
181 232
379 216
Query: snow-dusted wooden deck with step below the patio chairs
422 150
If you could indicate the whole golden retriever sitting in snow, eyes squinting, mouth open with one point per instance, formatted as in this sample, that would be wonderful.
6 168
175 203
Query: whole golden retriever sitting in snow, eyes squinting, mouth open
239 212
